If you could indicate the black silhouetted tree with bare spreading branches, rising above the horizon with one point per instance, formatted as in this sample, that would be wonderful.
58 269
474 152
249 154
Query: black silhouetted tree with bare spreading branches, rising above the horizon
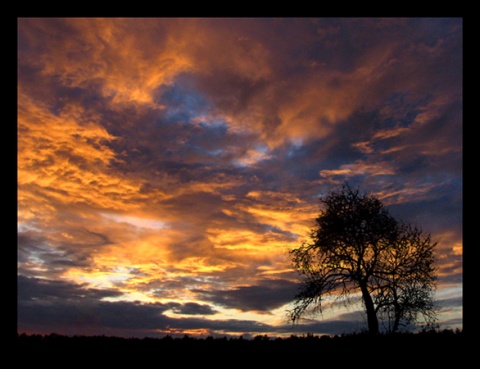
357 245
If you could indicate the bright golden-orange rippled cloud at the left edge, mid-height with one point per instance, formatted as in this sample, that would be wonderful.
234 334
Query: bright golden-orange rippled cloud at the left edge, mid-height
66 158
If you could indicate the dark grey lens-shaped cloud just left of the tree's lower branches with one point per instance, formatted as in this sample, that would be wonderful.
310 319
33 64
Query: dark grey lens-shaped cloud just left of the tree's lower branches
267 295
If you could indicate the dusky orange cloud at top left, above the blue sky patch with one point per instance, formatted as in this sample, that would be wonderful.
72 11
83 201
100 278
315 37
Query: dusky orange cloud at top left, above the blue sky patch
114 52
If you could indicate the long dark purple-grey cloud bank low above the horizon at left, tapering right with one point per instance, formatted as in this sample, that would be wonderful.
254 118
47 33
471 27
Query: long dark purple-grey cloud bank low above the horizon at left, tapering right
61 307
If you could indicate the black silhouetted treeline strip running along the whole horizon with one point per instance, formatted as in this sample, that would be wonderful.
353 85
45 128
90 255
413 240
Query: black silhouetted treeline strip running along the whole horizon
447 338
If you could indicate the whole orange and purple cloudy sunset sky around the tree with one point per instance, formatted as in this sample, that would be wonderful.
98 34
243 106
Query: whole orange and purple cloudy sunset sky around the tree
167 165
